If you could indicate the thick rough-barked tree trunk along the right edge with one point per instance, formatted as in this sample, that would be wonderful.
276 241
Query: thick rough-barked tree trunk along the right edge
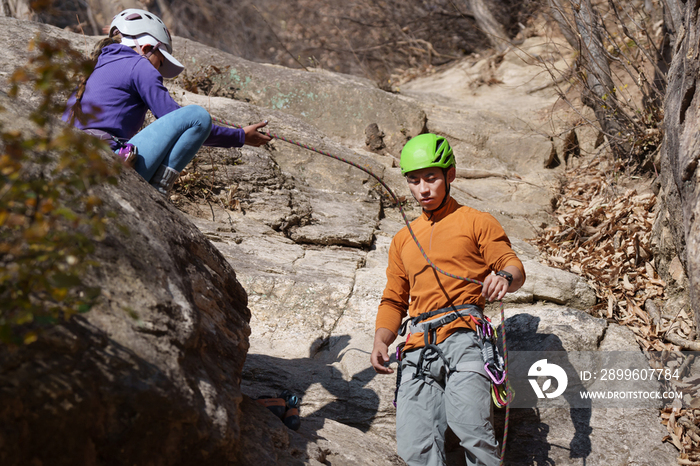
681 150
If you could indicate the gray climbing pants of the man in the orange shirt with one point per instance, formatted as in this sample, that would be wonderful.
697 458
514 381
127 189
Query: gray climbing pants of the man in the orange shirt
427 405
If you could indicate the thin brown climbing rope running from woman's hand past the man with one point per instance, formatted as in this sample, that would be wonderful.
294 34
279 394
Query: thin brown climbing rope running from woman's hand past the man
508 393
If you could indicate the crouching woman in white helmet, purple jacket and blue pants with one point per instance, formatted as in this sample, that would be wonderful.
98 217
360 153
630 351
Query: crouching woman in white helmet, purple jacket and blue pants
128 81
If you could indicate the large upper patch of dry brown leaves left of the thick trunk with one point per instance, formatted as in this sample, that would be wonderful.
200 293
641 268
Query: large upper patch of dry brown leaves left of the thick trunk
604 235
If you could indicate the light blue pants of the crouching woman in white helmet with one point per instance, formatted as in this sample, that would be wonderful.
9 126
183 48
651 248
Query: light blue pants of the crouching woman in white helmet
172 140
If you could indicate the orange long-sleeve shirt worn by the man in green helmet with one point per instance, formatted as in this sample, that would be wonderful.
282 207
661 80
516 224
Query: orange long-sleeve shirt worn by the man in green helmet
459 240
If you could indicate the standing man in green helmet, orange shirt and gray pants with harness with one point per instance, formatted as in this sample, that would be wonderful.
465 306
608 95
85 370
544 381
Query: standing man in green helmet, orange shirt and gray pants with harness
443 382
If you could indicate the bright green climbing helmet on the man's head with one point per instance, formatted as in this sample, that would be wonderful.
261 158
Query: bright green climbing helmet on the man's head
424 151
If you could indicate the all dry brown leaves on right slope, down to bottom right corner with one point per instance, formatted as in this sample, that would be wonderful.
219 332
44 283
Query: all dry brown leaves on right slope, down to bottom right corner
604 235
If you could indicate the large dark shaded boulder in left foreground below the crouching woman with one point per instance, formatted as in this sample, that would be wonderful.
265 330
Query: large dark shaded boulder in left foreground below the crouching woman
152 373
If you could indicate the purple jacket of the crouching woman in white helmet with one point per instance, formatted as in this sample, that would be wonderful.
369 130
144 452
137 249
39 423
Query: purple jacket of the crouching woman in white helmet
123 87
